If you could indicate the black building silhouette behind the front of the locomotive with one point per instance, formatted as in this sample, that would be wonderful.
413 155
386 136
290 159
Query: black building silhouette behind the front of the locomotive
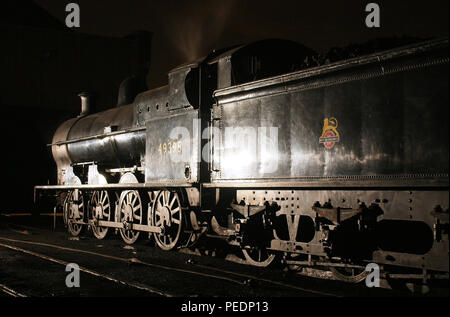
42 71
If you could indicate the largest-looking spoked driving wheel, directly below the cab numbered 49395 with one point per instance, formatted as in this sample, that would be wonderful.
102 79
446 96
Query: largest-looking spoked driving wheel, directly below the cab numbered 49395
167 214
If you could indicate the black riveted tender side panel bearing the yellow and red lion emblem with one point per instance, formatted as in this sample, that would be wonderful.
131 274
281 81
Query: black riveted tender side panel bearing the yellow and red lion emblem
378 120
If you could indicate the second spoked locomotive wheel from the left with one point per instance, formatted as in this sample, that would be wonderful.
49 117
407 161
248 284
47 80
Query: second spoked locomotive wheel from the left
100 205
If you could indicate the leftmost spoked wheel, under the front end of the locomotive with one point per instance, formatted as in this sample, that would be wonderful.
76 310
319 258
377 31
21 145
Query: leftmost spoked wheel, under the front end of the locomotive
74 211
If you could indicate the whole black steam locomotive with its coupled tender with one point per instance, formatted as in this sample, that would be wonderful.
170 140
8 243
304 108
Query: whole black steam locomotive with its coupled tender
336 166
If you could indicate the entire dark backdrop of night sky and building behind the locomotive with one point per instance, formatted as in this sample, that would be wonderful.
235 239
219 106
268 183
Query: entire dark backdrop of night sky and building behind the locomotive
45 64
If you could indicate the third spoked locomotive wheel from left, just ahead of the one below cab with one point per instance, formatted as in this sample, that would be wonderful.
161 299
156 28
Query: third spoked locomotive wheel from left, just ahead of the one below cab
130 211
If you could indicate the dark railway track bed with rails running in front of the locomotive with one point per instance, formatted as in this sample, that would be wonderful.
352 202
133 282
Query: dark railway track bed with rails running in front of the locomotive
152 272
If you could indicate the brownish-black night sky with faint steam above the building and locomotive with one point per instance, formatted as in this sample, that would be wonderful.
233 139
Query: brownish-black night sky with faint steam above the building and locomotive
184 30
